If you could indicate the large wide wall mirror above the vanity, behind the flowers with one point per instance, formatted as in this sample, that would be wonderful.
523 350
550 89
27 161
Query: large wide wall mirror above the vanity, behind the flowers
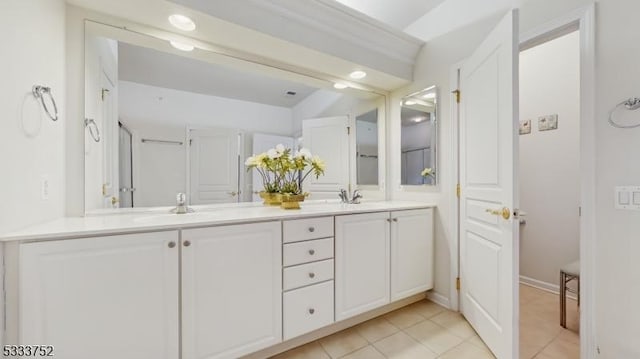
161 120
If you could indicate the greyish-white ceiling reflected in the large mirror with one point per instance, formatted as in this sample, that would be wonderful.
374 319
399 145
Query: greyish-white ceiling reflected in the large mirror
152 67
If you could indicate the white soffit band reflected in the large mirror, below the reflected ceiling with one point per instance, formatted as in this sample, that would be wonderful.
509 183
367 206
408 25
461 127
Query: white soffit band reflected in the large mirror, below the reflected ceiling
153 104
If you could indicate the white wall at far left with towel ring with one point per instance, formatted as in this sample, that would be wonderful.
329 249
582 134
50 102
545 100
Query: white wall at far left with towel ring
31 145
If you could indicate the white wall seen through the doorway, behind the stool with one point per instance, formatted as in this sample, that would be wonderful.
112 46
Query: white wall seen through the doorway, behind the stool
550 160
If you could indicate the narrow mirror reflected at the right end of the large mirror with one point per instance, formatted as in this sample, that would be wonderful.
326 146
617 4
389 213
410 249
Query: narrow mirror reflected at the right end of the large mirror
367 148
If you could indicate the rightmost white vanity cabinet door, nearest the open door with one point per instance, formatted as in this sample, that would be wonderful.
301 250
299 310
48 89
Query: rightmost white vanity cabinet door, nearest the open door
412 252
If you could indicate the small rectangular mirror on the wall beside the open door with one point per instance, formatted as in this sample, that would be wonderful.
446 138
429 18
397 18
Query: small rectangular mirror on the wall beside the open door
419 138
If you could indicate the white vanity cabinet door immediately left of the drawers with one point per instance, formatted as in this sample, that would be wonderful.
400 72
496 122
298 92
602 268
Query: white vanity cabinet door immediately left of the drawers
231 290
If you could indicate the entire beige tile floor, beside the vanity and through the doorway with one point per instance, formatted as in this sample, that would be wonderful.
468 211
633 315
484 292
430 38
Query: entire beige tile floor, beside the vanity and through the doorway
426 330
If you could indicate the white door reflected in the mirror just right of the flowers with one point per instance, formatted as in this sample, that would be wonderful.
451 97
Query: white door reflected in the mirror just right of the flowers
328 138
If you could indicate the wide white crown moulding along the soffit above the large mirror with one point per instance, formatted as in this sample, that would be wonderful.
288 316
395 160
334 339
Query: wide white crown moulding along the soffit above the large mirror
324 25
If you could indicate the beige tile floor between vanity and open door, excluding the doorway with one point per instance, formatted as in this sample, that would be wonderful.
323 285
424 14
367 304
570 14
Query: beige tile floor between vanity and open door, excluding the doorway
423 330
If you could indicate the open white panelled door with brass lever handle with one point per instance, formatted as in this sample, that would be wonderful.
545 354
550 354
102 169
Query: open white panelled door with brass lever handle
488 149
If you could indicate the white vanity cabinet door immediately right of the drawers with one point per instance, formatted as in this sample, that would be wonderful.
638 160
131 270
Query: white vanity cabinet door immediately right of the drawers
362 263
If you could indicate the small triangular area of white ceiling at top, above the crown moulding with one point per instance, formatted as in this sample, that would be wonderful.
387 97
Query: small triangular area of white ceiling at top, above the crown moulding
397 13
